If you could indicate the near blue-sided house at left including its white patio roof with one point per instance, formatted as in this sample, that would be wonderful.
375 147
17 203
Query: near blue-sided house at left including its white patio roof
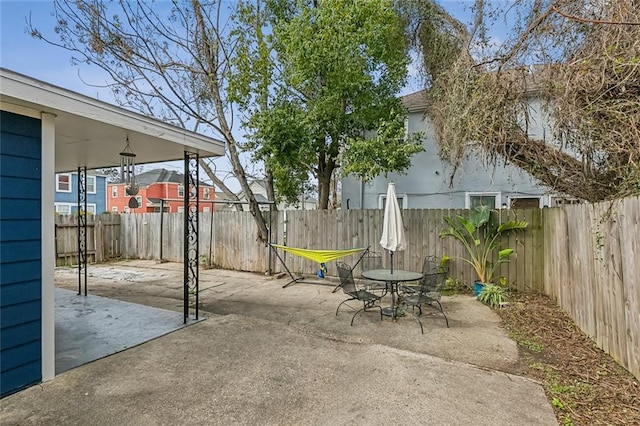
44 130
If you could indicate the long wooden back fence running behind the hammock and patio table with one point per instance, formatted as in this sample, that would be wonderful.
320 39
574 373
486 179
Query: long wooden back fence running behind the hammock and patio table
229 240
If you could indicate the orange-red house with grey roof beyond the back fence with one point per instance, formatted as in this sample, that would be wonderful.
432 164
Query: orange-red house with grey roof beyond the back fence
157 188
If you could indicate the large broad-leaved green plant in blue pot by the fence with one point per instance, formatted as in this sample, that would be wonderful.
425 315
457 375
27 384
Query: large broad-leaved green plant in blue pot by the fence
481 239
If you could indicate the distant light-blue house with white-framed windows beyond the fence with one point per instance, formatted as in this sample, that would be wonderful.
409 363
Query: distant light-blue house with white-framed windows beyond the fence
65 199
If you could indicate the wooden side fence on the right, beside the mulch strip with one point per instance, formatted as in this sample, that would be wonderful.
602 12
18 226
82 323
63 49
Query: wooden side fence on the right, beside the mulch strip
592 267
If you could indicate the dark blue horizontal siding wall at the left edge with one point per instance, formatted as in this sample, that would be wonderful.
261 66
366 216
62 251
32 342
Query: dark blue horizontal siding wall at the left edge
20 252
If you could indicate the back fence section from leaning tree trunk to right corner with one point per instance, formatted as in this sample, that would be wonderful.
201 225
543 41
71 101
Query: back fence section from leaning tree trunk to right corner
342 229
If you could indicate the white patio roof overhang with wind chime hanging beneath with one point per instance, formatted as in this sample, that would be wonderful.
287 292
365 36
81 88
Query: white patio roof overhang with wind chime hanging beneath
92 133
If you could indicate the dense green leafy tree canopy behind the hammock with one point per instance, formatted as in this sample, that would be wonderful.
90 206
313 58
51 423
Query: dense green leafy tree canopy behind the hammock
341 64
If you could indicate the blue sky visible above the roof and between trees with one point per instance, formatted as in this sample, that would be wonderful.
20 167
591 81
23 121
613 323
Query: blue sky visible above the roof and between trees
21 53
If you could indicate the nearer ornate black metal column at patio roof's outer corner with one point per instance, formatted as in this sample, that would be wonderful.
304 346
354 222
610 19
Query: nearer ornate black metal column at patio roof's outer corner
191 227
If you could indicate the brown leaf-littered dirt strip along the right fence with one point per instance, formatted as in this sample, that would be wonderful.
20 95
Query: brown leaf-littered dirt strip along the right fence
584 385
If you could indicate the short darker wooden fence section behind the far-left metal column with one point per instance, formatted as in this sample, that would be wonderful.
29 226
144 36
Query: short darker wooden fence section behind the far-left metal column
103 239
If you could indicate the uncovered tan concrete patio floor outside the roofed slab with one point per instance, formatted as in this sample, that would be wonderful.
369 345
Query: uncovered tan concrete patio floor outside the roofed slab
267 355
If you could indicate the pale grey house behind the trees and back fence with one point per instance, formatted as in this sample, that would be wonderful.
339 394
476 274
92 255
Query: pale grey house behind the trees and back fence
427 182
